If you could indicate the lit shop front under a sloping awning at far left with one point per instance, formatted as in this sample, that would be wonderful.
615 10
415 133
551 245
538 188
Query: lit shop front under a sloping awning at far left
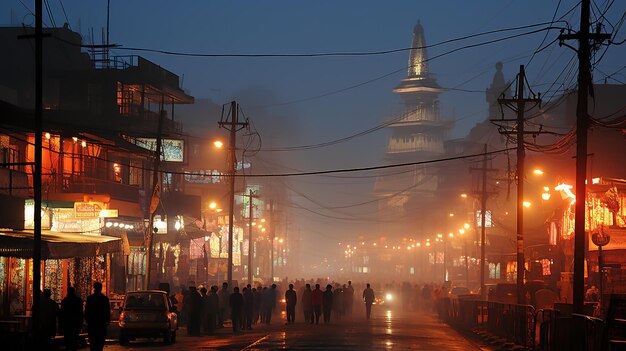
68 259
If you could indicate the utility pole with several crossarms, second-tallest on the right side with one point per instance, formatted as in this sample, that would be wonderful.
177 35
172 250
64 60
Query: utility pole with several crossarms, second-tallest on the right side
518 104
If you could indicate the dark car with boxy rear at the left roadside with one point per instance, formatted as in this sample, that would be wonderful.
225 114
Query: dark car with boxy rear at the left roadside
147 314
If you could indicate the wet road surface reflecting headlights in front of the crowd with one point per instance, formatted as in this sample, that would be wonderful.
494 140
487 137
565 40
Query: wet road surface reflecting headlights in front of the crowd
387 330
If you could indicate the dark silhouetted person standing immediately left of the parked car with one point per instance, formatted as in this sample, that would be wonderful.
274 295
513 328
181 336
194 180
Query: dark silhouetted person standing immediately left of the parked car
98 316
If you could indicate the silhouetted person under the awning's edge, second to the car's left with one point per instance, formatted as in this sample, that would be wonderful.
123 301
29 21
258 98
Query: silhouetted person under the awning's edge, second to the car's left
71 319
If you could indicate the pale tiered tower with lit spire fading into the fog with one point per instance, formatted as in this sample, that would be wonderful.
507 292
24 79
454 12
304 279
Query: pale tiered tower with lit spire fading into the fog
418 134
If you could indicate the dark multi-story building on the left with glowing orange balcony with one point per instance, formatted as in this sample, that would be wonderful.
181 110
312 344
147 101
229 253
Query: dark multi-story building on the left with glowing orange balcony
101 122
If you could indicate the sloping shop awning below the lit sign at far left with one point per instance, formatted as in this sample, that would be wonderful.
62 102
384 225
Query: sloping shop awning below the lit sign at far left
55 245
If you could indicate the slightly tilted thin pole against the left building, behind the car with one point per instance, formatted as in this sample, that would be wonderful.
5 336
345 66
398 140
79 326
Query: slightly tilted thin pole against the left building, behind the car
154 200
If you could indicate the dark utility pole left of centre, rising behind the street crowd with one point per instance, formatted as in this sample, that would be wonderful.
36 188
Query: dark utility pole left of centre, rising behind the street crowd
233 125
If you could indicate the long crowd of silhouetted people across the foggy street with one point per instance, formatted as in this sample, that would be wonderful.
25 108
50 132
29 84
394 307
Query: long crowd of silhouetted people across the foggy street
205 309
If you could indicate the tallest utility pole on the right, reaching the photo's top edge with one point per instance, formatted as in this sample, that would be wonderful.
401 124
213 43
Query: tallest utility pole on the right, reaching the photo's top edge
584 87
